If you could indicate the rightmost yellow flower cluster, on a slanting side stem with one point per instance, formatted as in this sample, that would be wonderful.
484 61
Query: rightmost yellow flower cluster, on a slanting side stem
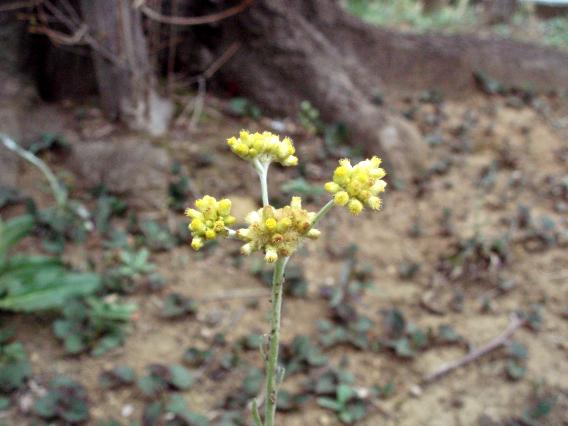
357 185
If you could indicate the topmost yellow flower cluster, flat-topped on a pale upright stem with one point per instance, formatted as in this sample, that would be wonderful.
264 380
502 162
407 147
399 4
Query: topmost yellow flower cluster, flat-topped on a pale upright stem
265 146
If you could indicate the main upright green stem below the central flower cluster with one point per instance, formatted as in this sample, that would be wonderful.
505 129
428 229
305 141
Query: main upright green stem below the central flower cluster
272 361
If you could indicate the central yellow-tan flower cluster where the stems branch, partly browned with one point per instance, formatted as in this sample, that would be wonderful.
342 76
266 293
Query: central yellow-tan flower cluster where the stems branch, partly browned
277 232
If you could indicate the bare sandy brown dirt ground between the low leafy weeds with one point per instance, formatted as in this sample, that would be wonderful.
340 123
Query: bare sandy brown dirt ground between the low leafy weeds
491 155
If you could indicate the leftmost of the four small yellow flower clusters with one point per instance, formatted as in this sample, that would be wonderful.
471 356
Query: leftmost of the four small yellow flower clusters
210 220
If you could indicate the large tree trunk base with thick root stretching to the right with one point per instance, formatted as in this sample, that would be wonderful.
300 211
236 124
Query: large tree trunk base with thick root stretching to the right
313 50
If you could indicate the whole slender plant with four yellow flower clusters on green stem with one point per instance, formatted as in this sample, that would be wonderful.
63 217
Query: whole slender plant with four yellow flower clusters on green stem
278 233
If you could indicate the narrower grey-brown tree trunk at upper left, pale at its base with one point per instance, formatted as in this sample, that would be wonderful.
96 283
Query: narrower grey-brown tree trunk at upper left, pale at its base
126 82
